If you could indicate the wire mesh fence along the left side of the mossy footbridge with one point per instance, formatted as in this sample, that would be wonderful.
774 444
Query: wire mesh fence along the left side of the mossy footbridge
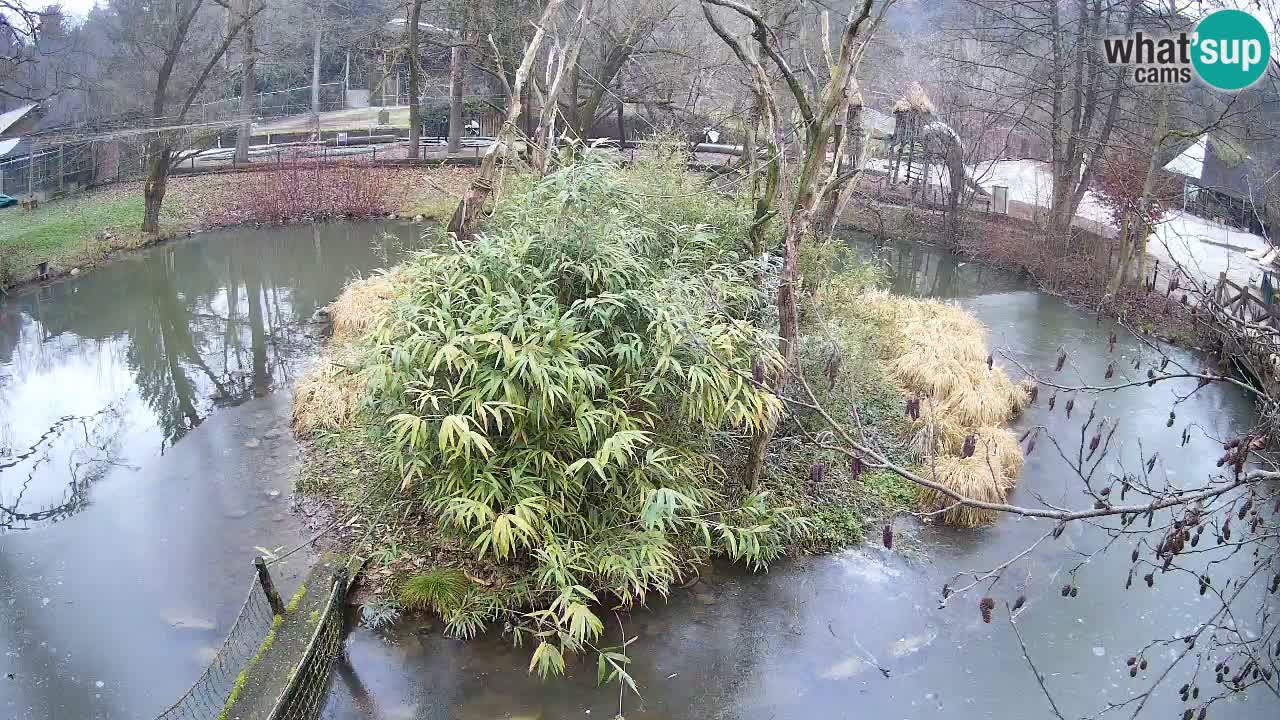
207 699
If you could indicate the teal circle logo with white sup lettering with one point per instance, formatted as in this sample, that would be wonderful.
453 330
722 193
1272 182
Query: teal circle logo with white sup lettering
1232 49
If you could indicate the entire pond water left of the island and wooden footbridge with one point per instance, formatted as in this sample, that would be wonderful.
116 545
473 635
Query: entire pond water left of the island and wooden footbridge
147 455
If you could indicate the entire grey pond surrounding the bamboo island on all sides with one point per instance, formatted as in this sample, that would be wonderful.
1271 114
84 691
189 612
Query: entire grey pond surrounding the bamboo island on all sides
156 395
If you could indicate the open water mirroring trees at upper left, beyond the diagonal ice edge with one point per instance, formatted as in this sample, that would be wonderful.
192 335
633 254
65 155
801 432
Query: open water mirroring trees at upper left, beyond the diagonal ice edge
122 363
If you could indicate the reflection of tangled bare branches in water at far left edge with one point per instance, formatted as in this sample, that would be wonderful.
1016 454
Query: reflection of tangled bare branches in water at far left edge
90 446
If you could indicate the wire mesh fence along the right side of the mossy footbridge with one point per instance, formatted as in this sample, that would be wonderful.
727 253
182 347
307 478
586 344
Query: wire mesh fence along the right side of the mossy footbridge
309 682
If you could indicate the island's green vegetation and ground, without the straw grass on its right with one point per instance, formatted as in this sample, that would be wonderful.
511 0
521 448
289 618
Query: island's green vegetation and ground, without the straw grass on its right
554 418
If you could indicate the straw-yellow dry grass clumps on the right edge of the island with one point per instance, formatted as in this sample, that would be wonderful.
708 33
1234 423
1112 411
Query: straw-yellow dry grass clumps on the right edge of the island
941 357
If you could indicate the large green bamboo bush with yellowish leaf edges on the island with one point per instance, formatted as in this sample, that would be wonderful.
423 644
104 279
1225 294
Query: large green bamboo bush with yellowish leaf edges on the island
554 390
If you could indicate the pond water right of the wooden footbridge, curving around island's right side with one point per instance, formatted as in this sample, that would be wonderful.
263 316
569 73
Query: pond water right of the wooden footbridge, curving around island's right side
861 634
